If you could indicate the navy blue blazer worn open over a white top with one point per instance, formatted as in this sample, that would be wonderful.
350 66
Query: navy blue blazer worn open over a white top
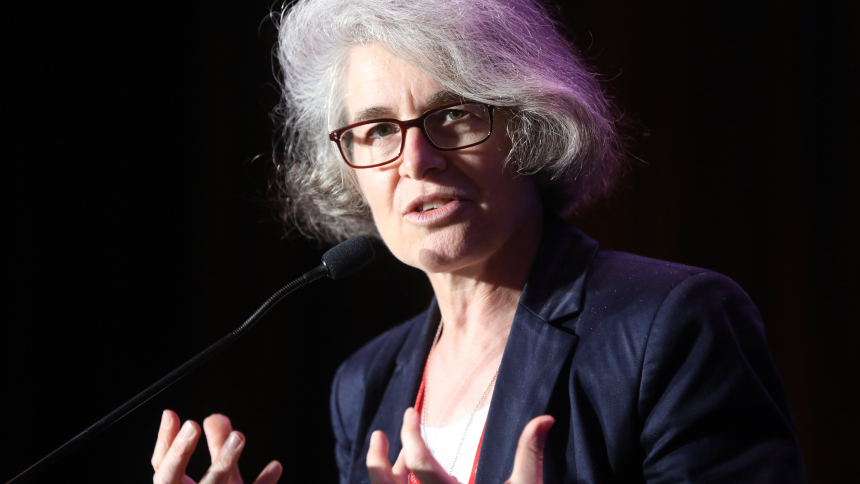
655 372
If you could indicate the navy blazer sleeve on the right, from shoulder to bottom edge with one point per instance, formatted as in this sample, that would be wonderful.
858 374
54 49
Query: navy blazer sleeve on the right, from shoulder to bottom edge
711 402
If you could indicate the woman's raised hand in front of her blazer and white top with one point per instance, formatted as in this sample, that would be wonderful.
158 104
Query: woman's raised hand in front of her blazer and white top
415 457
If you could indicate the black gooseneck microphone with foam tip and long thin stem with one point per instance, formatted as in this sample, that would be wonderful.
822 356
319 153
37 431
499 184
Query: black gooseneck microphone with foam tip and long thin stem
338 262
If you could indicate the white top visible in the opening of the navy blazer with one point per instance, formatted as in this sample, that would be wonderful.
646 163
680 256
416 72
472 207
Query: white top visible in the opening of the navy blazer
444 441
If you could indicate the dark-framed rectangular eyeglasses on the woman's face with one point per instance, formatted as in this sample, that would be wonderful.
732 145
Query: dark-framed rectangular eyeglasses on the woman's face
377 142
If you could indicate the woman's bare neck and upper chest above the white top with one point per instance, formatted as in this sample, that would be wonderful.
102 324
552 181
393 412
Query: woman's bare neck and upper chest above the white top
478 305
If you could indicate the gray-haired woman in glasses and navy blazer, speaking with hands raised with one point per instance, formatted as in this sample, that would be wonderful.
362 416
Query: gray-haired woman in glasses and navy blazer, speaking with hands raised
462 133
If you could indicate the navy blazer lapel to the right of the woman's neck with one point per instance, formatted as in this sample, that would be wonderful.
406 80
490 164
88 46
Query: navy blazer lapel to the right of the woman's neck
540 345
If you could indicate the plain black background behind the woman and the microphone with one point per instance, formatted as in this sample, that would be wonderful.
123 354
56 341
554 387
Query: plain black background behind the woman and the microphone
137 229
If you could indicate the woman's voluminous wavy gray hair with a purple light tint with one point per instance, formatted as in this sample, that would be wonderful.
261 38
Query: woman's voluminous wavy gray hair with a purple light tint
507 53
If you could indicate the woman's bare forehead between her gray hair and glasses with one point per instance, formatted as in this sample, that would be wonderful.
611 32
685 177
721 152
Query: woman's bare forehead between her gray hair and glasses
375 80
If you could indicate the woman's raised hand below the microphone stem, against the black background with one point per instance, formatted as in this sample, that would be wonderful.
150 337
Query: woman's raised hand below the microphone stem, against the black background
175 446
